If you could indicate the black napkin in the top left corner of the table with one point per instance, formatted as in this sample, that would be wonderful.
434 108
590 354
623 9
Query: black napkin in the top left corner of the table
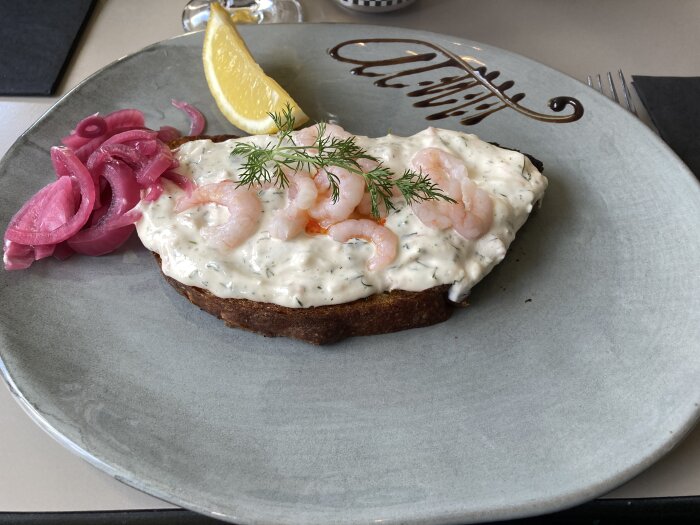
38 37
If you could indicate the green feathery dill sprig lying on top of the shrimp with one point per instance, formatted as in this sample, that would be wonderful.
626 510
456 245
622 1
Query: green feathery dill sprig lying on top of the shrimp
266 164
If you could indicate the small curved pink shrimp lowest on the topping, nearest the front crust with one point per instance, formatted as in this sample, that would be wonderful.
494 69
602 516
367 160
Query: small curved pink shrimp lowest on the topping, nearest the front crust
385 241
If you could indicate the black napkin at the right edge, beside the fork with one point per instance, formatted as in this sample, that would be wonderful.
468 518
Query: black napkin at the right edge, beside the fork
673 103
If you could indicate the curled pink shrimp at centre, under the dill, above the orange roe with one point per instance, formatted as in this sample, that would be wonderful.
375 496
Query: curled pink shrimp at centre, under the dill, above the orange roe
351 190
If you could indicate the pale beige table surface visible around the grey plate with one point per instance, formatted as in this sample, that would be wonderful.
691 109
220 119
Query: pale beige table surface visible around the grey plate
643 37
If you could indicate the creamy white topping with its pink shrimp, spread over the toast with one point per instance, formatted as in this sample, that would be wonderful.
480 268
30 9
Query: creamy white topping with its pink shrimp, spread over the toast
294 248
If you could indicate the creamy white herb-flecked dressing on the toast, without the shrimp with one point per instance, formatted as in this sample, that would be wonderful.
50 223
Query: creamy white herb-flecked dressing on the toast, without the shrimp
314 270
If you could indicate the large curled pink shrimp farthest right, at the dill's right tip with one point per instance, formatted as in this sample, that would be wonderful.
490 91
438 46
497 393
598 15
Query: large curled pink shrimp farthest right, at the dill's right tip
471 215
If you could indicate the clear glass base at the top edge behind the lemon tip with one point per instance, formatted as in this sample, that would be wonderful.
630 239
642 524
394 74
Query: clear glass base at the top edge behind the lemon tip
196 12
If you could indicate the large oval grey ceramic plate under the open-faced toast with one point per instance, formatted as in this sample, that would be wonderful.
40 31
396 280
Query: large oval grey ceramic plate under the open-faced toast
574 368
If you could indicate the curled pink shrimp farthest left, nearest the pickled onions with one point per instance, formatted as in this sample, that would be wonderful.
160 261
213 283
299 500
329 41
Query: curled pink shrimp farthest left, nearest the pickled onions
243 205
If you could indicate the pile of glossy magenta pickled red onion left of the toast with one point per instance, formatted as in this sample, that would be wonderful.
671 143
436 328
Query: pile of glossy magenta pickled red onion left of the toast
112 158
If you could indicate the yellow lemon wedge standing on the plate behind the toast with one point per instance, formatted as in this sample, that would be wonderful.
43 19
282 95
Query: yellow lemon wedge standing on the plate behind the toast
242 90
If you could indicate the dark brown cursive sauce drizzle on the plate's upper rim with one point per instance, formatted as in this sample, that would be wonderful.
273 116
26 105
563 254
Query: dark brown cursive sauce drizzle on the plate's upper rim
470 93
